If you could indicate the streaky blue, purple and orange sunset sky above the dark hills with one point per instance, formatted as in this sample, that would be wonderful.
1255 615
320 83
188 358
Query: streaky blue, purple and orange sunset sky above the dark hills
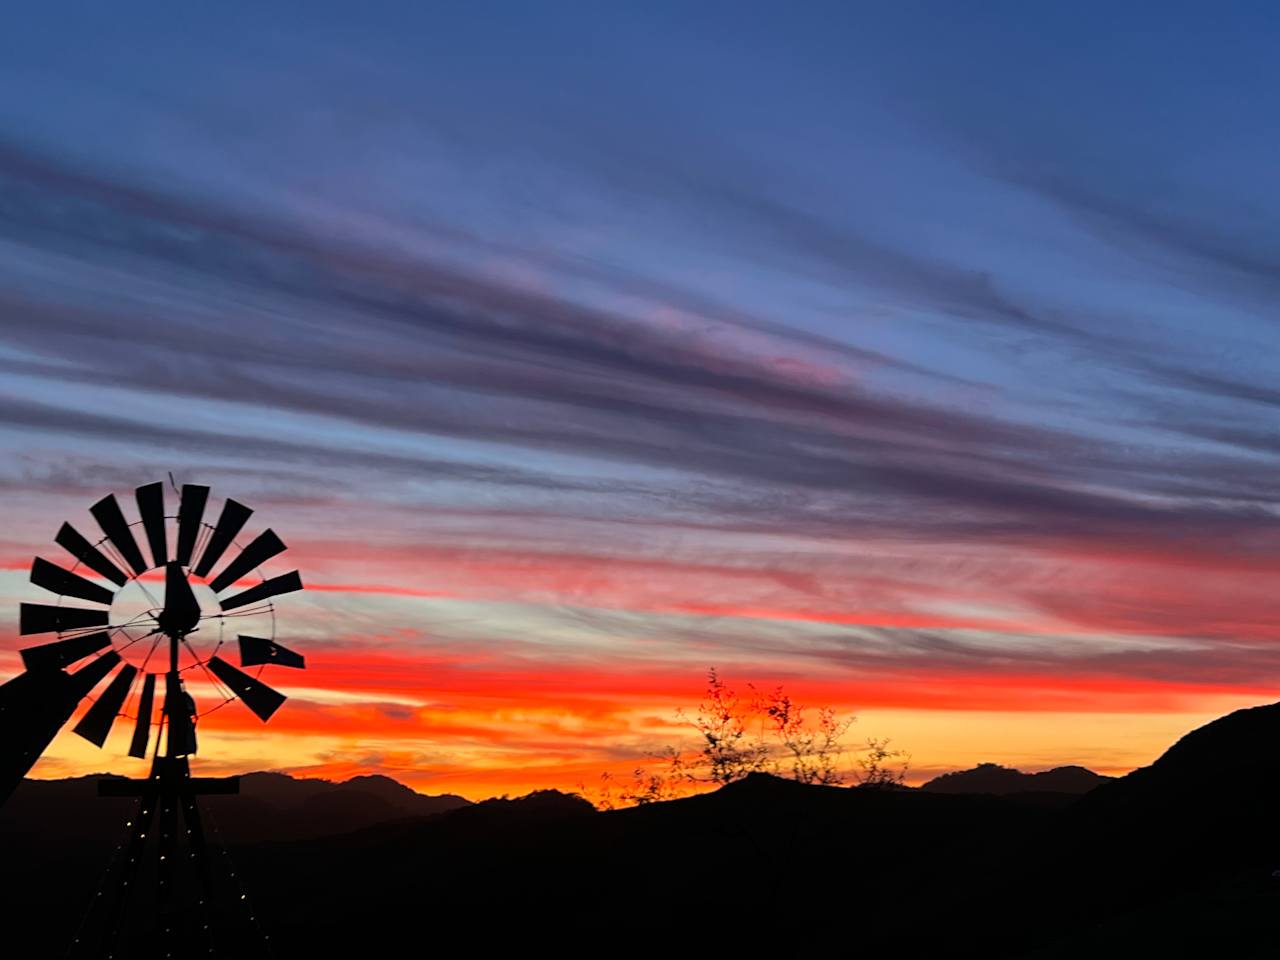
918 358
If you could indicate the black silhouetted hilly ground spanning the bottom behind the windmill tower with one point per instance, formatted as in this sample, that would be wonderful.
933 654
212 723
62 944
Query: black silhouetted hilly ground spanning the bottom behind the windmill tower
1174 861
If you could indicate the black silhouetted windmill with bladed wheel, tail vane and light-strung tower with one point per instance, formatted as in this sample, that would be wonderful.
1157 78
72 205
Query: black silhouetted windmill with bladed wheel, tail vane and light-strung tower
144 624
